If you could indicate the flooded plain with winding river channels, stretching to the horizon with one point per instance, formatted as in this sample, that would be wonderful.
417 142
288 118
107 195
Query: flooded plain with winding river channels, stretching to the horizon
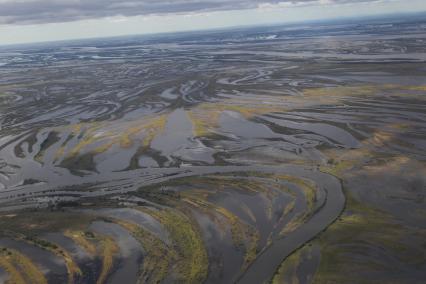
258 155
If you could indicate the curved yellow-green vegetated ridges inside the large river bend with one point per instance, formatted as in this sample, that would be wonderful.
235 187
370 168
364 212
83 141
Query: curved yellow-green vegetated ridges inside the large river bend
199 191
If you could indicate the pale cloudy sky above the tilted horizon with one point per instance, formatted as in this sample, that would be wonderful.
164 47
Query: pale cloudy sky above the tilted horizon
24 21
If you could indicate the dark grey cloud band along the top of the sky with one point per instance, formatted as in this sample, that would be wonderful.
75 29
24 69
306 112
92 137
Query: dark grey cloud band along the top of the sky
50 11
